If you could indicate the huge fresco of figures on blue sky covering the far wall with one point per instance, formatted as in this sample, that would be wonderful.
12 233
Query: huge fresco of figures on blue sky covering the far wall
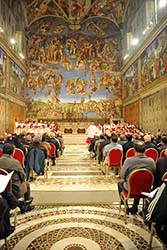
72 75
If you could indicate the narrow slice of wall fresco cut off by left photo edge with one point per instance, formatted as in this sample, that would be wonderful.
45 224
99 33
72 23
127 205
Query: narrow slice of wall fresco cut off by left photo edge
2 68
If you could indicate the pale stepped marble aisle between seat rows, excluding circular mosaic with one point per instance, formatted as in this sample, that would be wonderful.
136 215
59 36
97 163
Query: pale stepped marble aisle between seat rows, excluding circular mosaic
76 179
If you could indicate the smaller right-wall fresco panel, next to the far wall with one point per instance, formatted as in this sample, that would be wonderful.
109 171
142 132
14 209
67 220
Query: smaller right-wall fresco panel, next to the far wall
131 80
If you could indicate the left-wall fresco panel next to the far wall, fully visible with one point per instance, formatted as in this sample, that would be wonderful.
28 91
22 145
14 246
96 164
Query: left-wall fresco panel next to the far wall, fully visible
17 79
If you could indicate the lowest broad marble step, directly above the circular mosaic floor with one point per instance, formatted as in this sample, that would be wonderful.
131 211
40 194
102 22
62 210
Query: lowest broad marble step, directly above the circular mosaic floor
75 190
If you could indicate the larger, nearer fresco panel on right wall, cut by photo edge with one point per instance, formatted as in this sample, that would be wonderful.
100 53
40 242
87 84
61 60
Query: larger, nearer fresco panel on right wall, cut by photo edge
154 59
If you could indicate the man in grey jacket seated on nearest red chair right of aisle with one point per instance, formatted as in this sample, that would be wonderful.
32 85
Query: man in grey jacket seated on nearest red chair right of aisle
132 163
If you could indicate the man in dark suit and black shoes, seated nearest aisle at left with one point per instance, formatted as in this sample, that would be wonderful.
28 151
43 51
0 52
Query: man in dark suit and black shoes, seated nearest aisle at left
20 187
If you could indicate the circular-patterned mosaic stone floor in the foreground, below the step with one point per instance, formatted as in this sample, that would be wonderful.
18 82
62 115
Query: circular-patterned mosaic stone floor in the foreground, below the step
79 228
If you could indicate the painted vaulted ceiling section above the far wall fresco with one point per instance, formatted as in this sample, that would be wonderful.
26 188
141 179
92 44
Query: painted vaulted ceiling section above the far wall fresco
76 13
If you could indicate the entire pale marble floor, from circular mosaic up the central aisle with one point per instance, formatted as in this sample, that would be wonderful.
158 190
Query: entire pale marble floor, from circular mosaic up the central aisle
76 208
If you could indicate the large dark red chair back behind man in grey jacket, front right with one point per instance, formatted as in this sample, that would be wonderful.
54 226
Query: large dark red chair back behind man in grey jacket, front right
140 180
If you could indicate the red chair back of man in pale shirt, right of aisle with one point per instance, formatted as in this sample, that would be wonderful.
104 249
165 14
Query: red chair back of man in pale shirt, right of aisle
115 158
